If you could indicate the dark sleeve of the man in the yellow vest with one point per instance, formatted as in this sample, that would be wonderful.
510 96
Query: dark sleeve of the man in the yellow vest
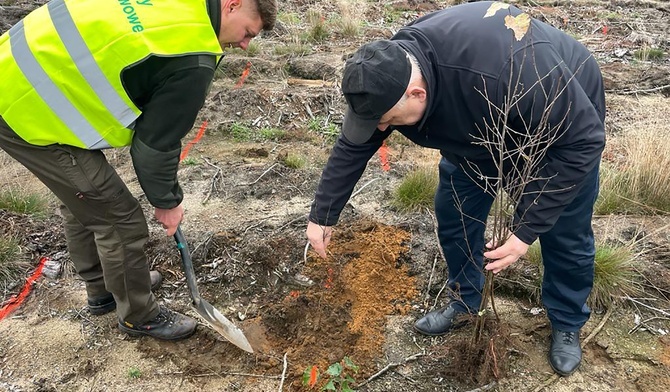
170 92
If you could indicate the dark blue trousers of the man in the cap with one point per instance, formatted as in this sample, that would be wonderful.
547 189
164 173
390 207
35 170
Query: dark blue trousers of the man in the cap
568 250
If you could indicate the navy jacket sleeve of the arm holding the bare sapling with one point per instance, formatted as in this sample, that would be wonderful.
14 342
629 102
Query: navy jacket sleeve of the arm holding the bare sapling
575 123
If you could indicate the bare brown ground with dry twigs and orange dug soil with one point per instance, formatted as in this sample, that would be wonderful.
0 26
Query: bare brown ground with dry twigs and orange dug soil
245 221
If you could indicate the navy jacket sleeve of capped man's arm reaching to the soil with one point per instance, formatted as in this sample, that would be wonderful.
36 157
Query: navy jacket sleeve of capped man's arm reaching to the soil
345 166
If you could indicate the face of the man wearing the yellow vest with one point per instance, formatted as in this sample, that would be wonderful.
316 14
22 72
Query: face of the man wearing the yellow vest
240 22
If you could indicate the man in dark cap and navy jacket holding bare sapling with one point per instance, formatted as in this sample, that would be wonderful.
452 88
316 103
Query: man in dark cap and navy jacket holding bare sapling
439 82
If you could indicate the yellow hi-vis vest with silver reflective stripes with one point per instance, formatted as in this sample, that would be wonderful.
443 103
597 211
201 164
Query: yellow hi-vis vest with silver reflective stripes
60 67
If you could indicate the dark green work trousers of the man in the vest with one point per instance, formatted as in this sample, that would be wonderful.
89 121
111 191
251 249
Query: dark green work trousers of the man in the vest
104 224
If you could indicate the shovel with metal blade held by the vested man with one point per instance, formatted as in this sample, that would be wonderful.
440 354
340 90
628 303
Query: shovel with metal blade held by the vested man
209 313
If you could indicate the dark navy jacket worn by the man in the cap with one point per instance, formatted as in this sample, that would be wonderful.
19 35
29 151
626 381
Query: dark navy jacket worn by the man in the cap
472 65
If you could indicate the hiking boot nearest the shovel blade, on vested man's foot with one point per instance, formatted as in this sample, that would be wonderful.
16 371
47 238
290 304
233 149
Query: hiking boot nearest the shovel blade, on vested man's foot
168 325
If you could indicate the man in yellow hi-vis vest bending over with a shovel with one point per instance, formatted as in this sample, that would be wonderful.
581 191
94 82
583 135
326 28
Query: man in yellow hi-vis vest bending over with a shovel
80 76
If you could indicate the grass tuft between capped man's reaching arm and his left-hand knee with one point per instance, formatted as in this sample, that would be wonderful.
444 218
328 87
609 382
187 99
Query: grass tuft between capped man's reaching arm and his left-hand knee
416 191
